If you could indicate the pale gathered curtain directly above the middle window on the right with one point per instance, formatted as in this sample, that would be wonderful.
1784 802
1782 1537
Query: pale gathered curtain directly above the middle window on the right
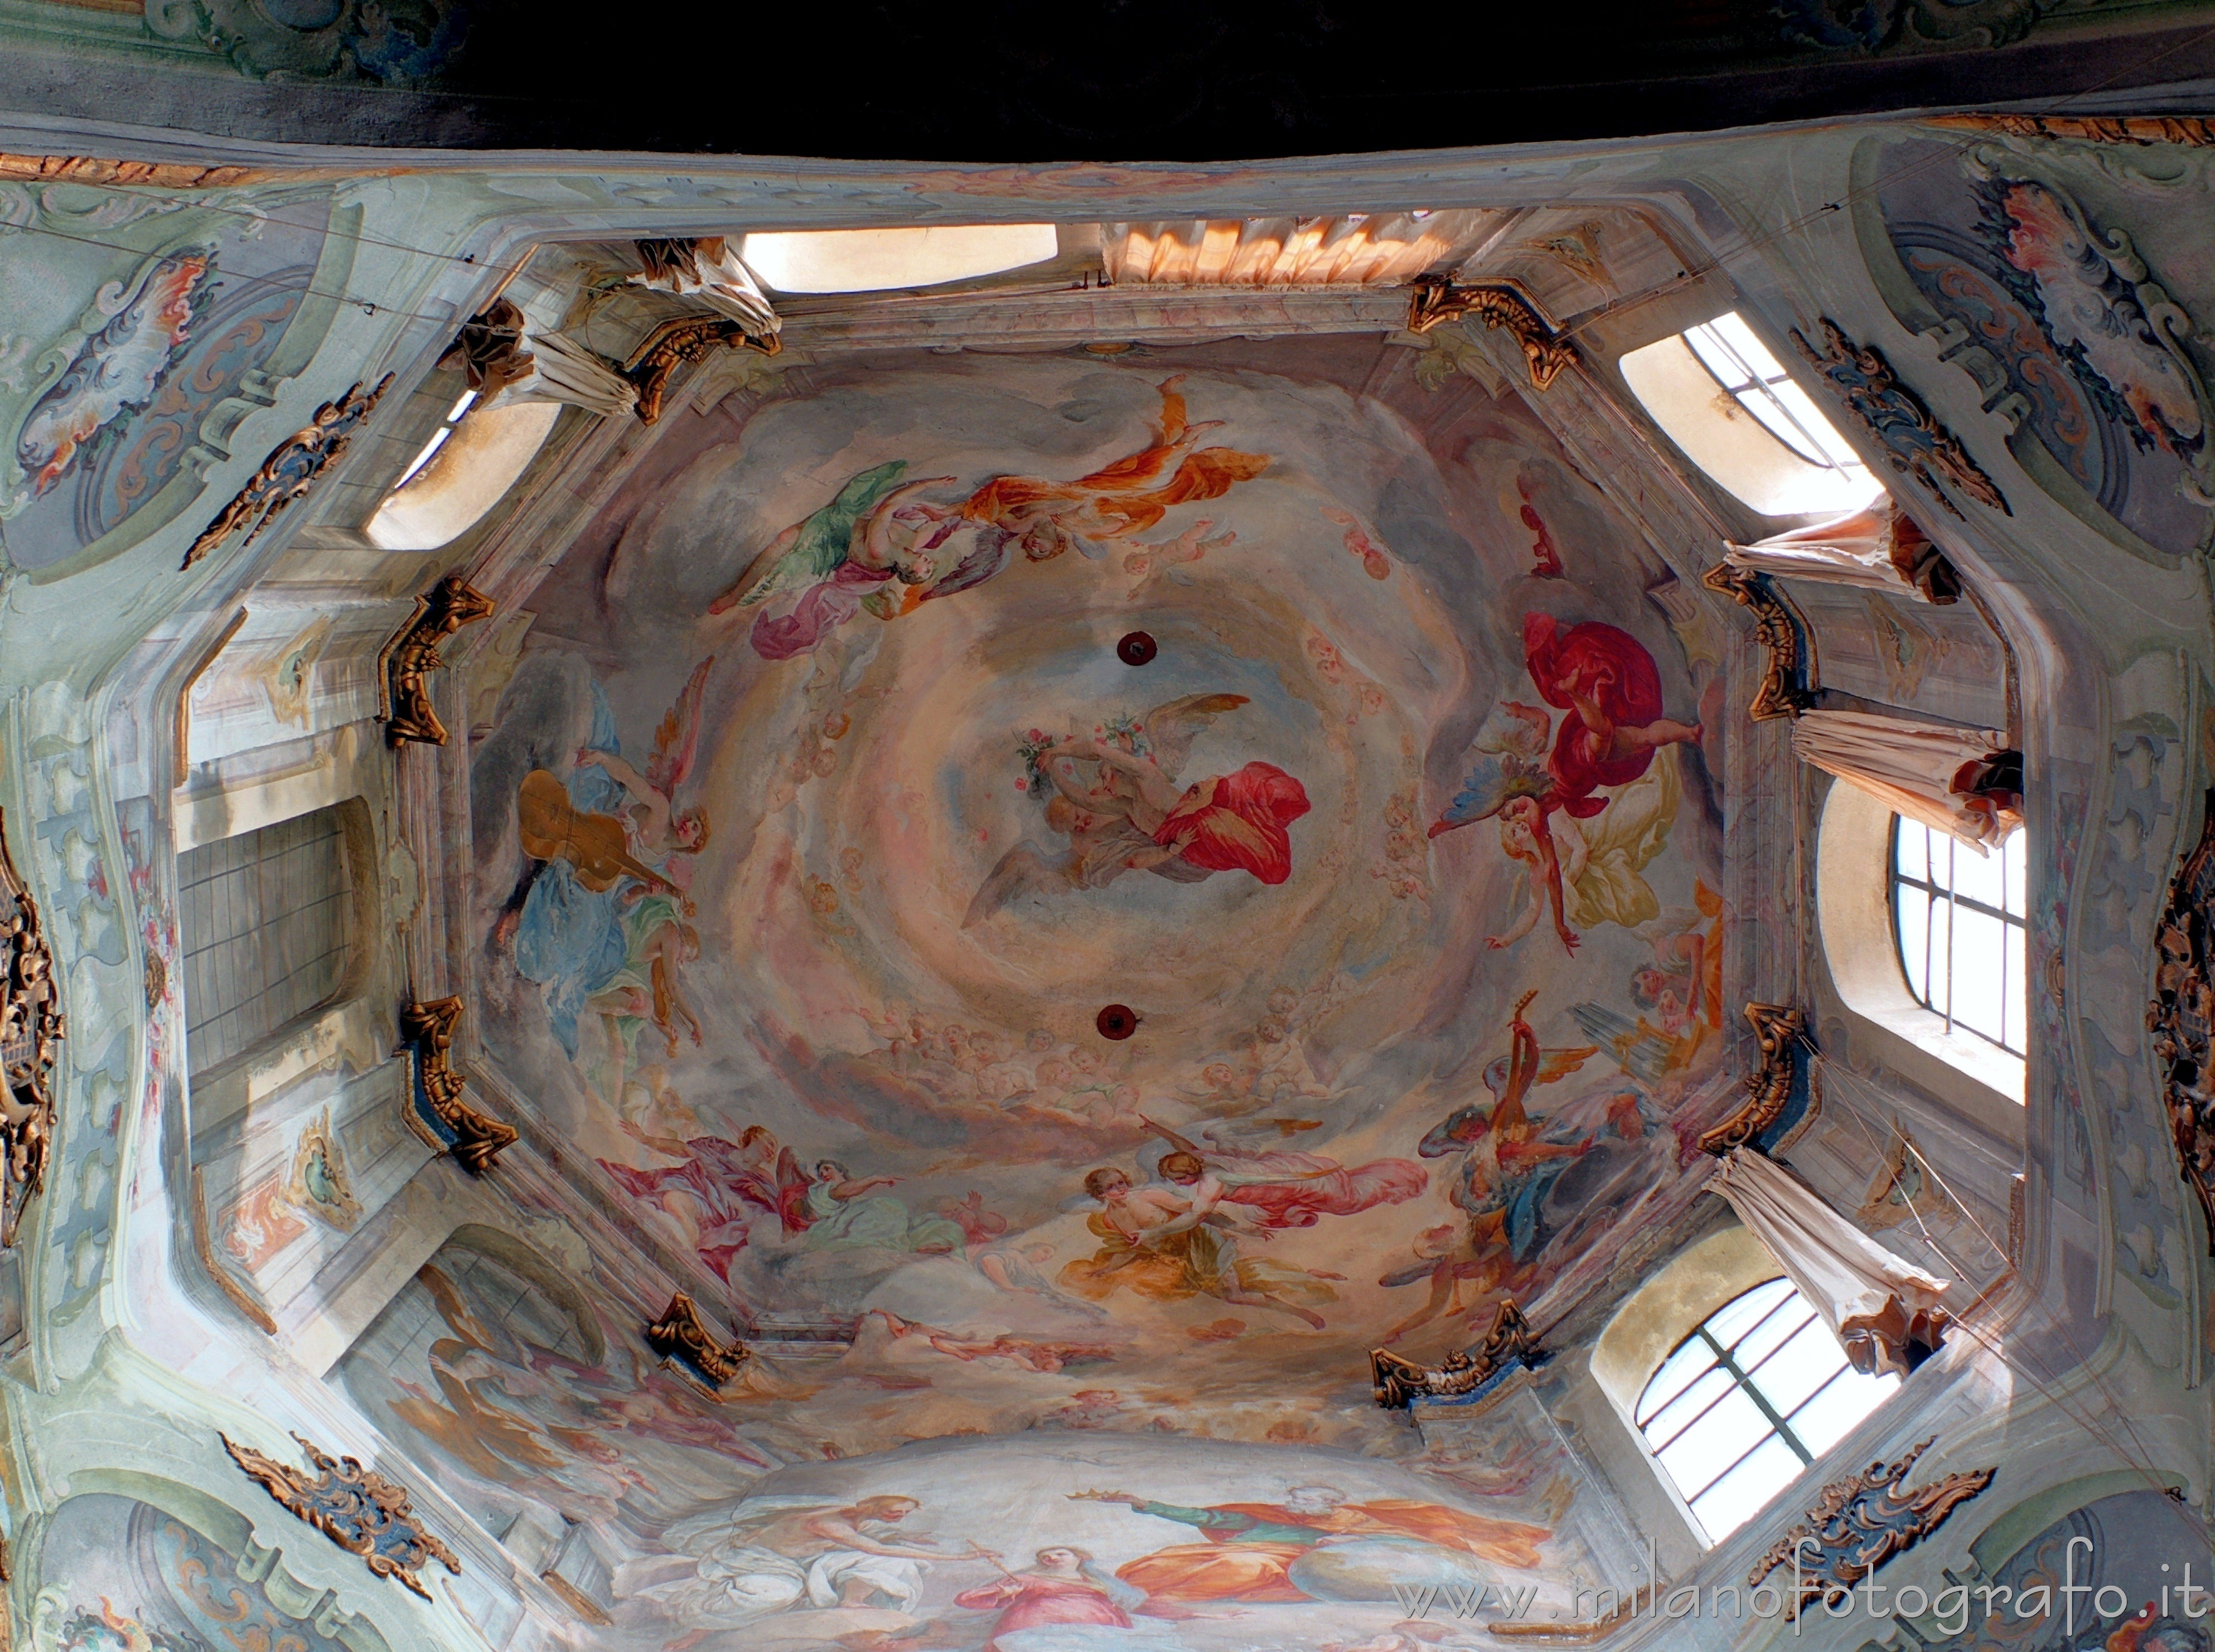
1953 781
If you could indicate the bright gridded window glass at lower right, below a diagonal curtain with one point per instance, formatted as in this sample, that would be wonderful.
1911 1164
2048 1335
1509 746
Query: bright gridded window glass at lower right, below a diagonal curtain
1751 1398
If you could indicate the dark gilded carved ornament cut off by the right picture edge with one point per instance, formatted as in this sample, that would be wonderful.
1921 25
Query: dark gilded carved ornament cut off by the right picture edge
2183 1015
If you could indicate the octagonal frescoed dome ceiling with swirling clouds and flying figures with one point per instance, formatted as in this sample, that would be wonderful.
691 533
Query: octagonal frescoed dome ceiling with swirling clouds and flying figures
823 820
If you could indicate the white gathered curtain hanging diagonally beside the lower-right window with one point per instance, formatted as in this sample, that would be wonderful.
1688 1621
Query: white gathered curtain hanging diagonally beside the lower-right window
1882 1310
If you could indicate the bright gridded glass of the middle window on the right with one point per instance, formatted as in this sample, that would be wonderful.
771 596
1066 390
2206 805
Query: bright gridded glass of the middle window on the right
1961 927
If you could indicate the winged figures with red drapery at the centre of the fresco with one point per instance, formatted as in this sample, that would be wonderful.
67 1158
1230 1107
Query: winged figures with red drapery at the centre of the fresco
1115 798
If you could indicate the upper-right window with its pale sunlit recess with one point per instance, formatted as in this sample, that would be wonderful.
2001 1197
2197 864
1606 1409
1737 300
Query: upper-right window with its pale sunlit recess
1733 409
